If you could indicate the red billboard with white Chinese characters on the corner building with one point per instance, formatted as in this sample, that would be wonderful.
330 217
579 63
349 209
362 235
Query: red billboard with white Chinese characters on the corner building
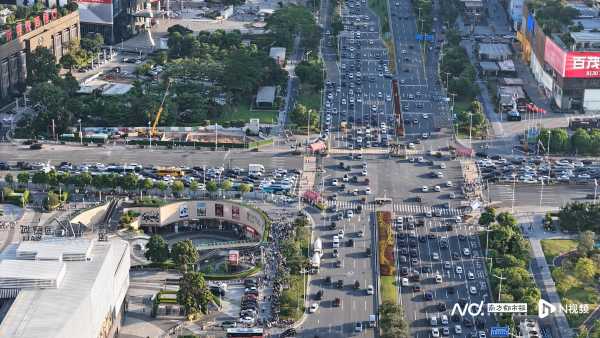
572 64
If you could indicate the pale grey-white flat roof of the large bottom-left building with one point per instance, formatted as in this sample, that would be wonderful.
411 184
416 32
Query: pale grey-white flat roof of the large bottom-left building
48 312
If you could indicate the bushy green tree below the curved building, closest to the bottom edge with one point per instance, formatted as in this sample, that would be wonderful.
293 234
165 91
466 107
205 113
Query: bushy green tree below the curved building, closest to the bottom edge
193 294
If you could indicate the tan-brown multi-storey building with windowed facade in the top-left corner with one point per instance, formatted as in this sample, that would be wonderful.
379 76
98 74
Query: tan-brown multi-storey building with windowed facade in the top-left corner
48 29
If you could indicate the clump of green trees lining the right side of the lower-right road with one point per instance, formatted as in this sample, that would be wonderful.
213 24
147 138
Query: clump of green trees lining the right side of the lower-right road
508 254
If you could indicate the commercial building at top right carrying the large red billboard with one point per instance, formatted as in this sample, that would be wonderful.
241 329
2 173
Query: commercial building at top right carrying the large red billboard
568 71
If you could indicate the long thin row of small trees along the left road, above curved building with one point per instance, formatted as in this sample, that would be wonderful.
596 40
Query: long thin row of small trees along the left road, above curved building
130 182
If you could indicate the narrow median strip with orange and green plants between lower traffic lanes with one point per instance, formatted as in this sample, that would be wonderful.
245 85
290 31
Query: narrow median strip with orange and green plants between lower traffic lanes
387 266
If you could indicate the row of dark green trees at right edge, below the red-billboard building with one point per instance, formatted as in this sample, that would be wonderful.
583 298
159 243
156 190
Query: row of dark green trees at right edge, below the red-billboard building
581 142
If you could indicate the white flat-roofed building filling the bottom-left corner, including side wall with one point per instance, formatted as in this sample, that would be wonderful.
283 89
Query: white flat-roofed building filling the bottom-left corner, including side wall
64 288
